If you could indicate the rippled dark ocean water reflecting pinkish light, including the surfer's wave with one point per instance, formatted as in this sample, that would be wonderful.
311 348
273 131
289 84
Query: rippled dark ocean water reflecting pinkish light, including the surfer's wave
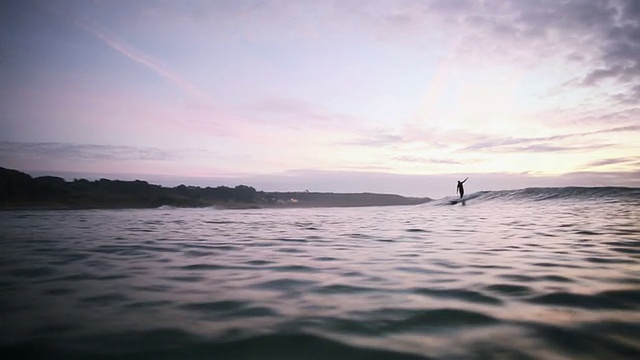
528 274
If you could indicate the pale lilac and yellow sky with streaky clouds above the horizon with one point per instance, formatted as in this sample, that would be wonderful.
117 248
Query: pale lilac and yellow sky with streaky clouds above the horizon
395 96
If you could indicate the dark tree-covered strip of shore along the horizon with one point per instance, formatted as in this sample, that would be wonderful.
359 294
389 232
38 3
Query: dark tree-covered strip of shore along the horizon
20 190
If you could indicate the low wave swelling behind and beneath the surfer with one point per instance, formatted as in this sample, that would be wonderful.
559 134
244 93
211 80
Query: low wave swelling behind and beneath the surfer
608 193
